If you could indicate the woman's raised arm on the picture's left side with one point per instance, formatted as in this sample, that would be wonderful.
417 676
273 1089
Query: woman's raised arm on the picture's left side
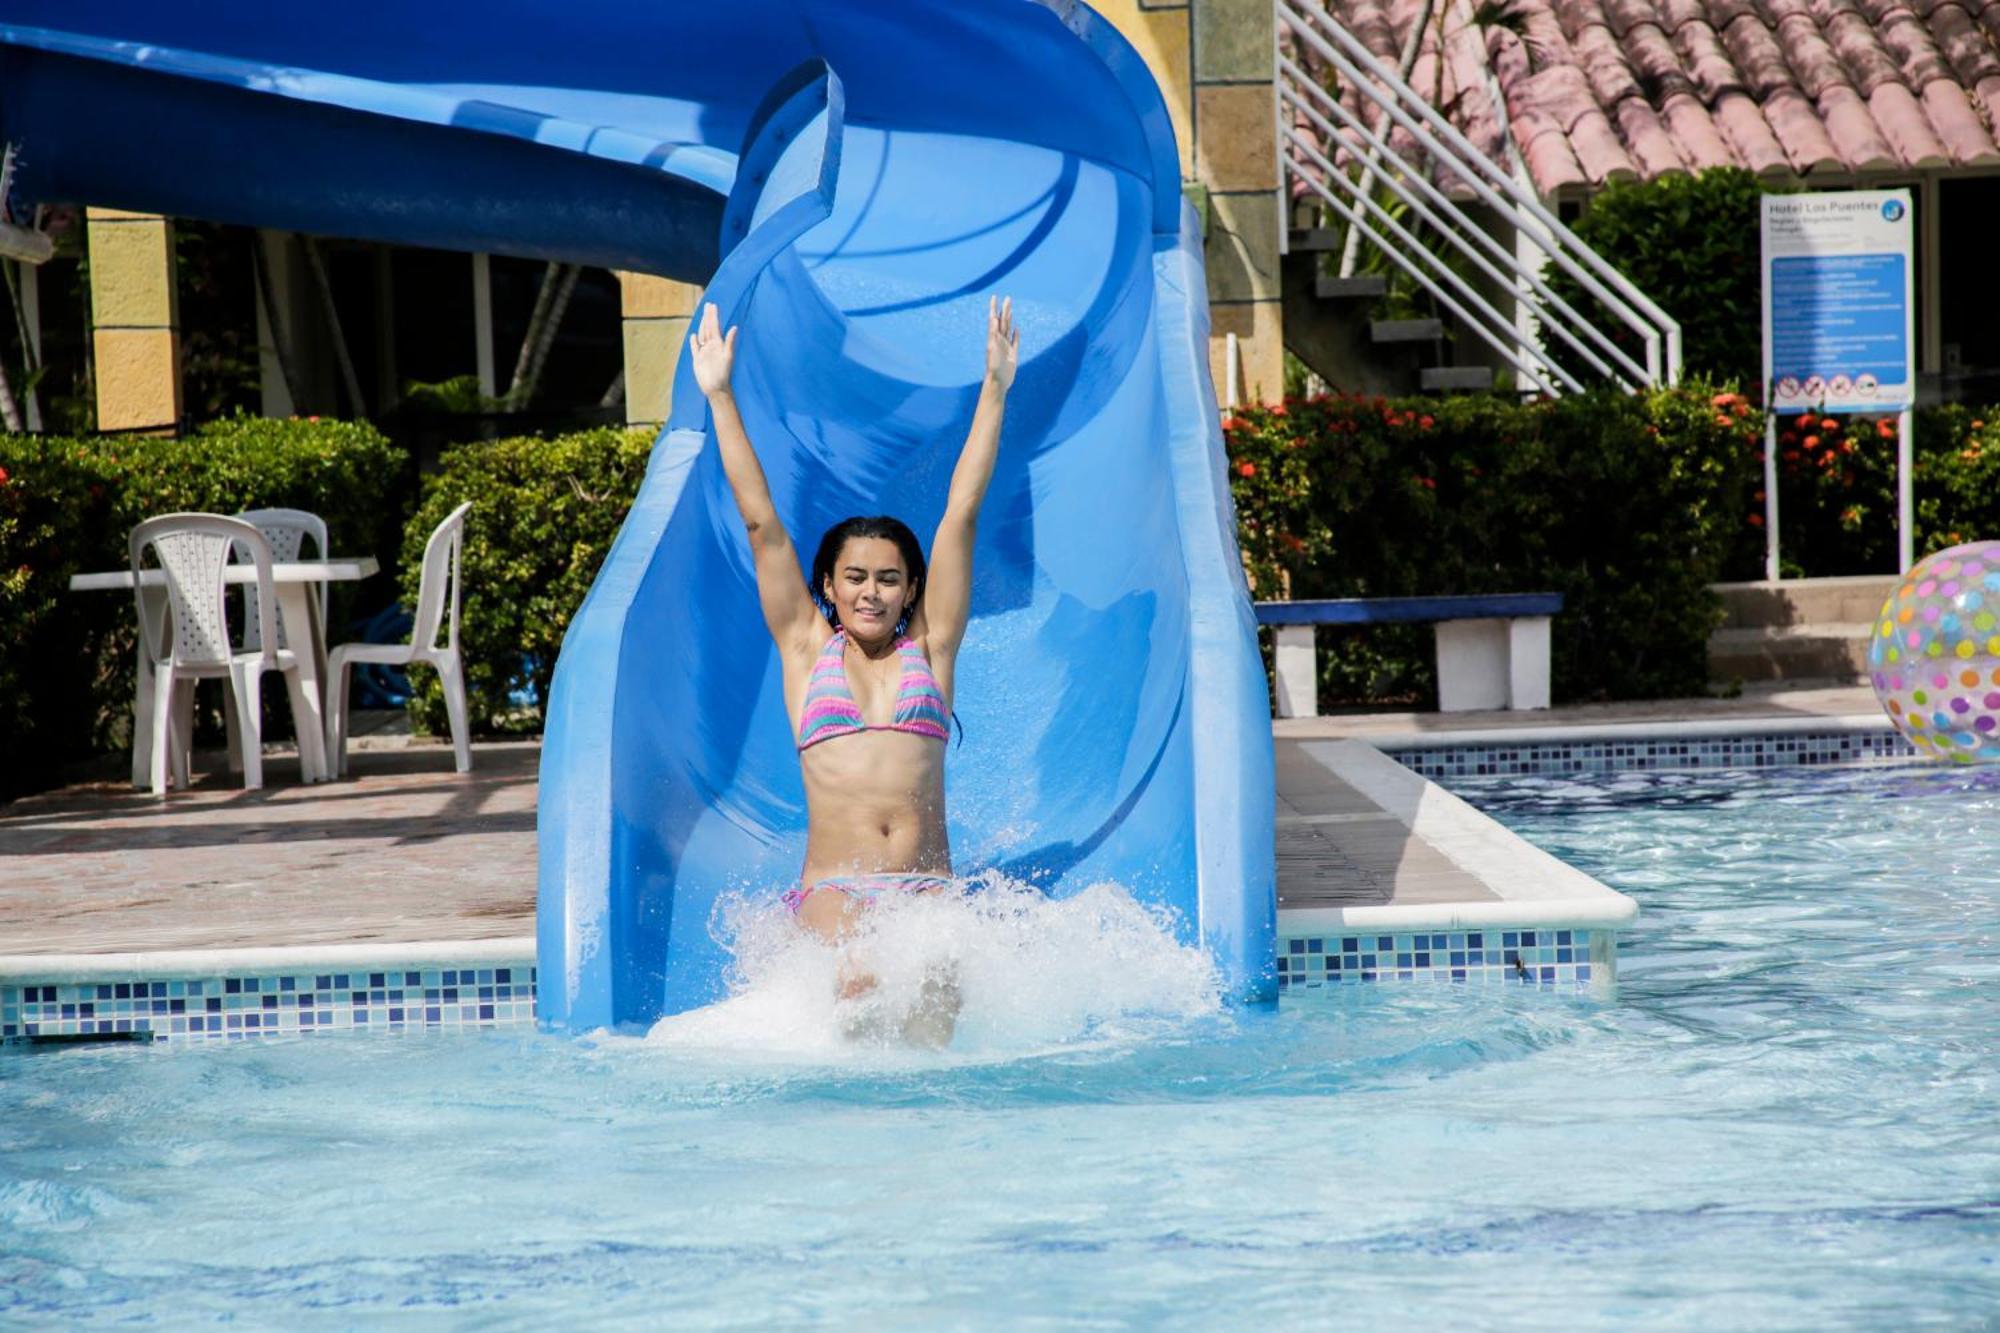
789 609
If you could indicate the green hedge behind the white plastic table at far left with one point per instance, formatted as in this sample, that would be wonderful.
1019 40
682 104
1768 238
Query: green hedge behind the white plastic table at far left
69 505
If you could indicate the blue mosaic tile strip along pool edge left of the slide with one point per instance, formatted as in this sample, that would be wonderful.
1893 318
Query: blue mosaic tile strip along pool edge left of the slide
285 1006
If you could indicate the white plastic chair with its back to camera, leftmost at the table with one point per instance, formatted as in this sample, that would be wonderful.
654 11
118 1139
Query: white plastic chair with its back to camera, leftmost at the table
193 551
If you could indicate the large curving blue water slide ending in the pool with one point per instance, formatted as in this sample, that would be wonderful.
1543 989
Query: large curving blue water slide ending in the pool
851 181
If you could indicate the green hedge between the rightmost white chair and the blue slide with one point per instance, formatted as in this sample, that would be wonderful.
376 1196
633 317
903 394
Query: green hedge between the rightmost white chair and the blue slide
543 517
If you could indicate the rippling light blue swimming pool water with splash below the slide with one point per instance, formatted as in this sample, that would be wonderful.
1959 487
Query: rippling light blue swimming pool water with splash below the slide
1783 1120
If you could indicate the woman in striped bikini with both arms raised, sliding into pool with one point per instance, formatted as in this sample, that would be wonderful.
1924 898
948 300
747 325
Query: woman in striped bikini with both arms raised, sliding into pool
869 653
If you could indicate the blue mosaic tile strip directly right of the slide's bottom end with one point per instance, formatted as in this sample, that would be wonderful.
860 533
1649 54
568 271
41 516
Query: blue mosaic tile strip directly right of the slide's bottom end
1539 958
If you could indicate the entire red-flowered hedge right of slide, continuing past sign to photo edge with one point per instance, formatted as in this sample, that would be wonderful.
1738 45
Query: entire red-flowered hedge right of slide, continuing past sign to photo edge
1629 505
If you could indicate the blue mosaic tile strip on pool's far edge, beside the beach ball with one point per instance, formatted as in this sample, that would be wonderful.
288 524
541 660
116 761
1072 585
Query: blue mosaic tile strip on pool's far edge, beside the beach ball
1561 758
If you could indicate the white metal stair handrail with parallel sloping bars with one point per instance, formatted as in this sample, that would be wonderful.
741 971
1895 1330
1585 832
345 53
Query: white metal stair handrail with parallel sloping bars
1497 189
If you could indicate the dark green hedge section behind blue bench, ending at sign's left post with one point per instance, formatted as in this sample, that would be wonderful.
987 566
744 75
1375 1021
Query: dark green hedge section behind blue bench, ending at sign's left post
1623 503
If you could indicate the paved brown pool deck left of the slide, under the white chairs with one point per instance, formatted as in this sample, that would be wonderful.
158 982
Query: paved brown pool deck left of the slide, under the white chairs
405 850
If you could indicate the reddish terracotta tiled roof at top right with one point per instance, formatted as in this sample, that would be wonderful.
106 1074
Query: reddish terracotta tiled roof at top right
1597 91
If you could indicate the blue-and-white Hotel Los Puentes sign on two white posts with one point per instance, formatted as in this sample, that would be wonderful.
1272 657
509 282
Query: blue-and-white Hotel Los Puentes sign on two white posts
1839 325
